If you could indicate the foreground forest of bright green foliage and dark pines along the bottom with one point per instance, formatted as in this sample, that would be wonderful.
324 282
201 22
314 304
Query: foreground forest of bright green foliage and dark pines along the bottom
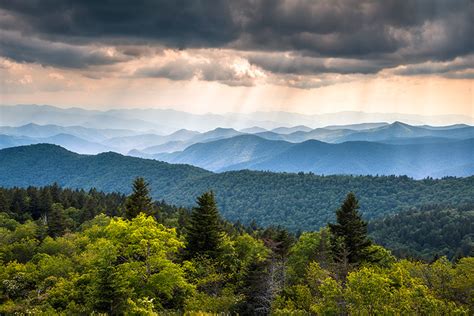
66 251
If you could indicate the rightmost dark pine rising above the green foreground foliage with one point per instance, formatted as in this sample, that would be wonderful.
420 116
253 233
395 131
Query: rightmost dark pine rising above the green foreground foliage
349 235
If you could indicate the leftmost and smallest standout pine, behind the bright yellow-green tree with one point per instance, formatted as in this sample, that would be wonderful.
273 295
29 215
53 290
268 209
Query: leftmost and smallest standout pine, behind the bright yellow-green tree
140 200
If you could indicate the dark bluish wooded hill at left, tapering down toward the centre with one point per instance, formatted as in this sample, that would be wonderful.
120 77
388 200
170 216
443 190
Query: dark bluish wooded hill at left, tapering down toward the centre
44 163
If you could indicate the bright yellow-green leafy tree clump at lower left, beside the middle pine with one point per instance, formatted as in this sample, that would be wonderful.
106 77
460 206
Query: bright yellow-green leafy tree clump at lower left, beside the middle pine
109 268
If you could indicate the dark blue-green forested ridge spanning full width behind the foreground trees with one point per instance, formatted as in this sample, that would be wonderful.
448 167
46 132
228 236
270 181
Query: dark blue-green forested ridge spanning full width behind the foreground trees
266 197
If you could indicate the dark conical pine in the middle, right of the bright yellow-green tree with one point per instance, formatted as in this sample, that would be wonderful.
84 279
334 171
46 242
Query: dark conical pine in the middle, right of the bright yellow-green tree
204 231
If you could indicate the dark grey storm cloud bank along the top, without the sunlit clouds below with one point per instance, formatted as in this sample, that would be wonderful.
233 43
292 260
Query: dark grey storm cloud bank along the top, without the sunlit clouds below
365 36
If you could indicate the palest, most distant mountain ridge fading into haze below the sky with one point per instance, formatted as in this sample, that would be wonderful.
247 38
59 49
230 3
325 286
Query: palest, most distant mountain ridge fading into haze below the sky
166 121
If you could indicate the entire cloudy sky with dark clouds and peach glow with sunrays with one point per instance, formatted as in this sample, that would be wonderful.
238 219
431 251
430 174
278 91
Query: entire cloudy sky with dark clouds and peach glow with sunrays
303 56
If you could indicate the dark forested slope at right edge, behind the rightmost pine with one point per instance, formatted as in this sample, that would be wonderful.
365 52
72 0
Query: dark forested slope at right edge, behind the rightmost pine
427 232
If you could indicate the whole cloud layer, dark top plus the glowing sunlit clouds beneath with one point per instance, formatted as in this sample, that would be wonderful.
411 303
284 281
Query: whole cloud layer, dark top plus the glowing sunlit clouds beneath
298 42
